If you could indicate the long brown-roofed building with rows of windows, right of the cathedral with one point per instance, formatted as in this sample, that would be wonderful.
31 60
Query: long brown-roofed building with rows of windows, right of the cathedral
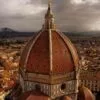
91 79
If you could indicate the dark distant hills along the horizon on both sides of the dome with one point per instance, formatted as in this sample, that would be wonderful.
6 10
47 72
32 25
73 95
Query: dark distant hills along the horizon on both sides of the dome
10 33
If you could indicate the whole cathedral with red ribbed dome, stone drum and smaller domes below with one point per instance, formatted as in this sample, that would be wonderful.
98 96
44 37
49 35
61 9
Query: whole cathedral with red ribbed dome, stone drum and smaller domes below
50 66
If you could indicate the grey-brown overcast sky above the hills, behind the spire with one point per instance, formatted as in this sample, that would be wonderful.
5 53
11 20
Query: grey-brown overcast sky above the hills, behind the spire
70 15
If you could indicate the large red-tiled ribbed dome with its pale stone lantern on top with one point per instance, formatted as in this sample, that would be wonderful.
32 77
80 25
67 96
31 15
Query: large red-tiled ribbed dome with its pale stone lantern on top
49 51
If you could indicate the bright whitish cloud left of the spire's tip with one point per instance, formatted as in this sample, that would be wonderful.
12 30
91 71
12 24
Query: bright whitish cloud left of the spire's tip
20 7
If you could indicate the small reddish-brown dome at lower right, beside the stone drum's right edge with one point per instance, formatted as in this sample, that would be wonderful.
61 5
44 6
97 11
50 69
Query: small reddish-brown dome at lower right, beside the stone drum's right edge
85 94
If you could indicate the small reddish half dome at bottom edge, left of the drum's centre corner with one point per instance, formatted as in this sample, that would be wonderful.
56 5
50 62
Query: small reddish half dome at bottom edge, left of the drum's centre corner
33 95
